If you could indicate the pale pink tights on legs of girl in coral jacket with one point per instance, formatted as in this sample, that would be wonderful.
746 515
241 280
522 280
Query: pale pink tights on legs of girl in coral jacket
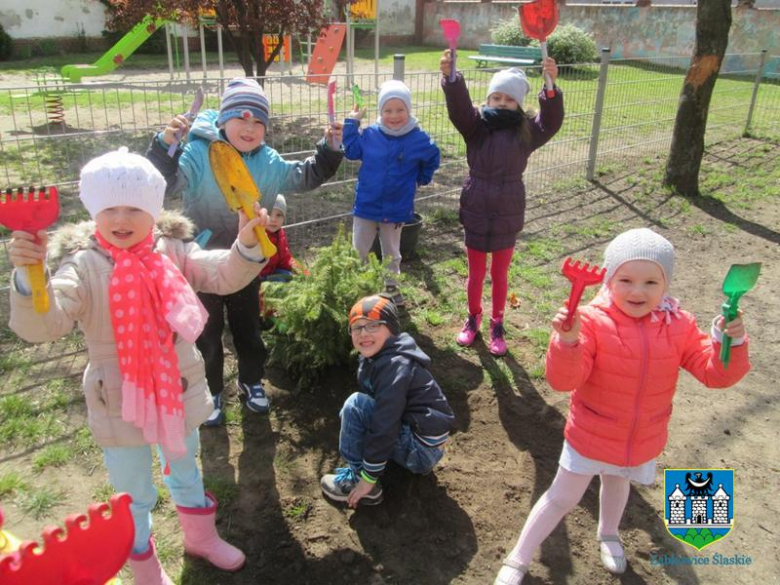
565 492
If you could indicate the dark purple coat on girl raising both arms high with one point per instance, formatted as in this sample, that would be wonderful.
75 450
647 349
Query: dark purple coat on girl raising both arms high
492 202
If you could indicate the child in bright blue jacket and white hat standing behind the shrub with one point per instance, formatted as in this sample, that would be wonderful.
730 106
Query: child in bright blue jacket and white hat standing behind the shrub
396 156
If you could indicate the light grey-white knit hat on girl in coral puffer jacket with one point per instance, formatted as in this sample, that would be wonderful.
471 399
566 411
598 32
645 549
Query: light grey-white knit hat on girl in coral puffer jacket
639 244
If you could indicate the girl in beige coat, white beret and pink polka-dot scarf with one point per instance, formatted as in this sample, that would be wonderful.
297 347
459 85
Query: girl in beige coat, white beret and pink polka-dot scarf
129 281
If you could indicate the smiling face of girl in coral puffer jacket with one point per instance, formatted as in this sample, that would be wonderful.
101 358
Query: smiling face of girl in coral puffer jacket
637 287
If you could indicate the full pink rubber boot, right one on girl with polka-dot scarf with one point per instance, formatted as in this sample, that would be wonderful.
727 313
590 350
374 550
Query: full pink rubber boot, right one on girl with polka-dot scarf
201 538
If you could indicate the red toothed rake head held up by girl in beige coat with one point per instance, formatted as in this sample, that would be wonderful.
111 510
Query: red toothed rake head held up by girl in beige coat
29 209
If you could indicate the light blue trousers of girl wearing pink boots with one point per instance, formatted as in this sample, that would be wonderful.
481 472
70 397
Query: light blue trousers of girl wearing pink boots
130 470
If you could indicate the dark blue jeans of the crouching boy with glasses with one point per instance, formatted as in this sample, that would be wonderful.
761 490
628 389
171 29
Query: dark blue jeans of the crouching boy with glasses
409 452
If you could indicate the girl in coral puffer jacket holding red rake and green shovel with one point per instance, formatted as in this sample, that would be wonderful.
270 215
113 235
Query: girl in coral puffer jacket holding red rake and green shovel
620 361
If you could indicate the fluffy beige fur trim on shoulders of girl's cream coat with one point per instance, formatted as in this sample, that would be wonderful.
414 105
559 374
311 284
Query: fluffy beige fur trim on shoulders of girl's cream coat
71 238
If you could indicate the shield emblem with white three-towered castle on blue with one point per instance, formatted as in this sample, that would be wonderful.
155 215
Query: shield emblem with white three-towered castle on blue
699 505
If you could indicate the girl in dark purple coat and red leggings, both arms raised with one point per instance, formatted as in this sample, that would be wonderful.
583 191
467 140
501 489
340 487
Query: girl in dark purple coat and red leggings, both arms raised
500 138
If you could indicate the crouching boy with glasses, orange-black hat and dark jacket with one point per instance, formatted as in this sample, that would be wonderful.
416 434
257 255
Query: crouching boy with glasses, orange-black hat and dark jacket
399 413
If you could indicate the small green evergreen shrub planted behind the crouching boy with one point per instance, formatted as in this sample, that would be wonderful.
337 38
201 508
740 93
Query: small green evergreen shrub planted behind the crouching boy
310 333
